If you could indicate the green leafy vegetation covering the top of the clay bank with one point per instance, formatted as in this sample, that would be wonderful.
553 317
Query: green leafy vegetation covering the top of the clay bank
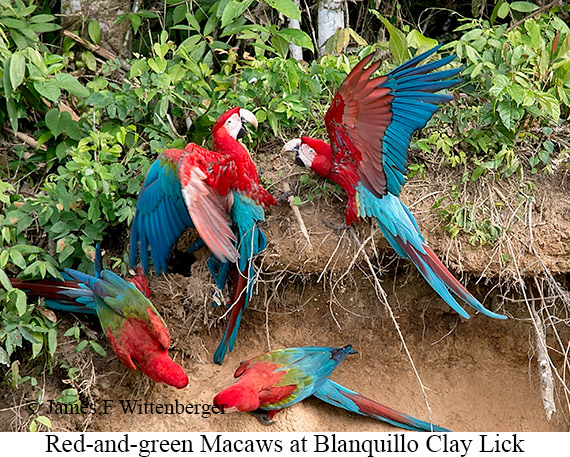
87 131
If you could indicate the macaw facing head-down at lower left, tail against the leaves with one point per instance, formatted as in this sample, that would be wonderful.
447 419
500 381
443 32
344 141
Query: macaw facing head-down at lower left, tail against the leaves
134 328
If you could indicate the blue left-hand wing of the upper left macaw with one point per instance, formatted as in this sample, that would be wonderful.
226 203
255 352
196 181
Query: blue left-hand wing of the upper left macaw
161 215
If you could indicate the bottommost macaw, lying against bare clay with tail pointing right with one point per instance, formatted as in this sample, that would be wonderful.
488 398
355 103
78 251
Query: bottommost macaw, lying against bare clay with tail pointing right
273 381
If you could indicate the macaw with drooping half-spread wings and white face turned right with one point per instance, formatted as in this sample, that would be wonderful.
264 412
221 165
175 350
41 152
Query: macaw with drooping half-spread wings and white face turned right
217 192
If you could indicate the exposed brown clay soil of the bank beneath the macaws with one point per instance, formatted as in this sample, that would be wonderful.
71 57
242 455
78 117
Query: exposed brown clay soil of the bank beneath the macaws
479 375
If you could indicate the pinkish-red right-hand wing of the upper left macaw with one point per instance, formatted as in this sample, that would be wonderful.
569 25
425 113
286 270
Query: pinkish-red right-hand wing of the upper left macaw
206 188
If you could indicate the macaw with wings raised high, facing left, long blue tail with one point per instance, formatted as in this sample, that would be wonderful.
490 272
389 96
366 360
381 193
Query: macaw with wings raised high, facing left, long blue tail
369 124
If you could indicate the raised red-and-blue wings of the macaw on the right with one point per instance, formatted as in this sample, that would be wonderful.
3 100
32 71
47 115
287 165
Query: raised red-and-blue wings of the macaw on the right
370 120
